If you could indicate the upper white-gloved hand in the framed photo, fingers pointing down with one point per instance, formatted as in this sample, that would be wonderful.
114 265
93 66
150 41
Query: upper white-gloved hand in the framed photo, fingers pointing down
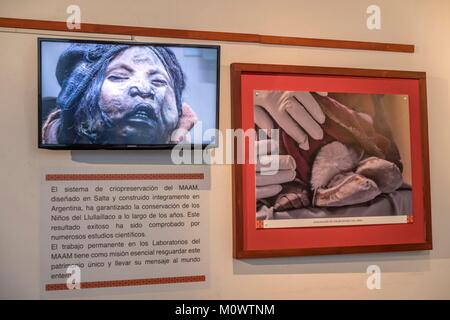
297 113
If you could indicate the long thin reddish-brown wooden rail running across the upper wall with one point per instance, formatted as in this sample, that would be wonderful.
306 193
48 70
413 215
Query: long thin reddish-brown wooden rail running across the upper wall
204 35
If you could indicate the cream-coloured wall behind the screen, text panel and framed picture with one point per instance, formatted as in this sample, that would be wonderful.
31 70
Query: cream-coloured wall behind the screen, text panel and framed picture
425 23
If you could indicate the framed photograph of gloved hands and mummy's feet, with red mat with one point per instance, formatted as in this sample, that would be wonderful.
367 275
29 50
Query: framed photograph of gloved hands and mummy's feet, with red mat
335 161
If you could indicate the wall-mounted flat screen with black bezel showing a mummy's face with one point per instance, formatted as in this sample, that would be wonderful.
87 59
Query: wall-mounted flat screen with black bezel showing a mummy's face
127 95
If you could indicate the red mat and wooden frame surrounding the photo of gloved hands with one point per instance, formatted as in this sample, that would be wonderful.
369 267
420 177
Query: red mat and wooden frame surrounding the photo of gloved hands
249 241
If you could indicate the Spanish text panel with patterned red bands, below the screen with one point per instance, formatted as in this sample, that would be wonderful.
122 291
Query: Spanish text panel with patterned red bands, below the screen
124 229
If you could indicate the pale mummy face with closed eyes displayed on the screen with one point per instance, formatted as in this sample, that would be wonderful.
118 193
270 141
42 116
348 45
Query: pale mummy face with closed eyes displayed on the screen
138 98
